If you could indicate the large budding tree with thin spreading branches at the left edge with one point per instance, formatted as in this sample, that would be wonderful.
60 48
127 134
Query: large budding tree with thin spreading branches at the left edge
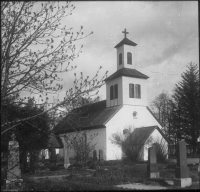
35 48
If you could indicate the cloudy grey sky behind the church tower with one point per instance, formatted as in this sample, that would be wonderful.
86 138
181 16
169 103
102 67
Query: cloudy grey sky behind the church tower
166 34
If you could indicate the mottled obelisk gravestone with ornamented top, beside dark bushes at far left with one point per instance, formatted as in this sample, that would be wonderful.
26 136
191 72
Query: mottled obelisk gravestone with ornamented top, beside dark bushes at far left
13 180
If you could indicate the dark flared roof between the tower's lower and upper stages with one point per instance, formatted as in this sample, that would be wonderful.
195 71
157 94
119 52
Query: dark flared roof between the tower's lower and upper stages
128 73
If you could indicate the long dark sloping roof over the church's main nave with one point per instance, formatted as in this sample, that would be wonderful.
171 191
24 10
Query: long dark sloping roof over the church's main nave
93 116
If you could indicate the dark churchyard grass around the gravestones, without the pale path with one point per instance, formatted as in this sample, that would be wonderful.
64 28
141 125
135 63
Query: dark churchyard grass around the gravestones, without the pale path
104 179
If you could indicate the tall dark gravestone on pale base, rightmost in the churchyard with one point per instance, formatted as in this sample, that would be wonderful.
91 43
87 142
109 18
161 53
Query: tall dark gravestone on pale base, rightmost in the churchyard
182 171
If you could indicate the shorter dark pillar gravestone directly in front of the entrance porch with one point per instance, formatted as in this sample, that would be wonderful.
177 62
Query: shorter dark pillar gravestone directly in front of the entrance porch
152 166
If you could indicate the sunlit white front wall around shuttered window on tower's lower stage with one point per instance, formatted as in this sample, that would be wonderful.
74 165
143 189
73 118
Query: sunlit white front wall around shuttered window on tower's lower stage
134 101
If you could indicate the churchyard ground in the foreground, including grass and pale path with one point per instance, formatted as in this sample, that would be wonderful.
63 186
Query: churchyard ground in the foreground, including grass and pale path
110 175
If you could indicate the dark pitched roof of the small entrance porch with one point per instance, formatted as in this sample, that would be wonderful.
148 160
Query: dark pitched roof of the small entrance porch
140 135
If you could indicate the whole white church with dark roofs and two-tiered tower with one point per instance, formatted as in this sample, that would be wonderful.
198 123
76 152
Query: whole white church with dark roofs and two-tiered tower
125 107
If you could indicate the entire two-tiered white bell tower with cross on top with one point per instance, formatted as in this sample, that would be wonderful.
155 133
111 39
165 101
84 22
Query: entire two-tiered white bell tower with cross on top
126 86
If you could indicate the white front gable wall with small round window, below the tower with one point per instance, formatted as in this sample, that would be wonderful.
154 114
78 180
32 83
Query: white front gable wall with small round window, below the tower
124 118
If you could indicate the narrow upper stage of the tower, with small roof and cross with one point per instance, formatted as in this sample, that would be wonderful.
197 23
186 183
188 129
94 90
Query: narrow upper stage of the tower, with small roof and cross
125 53
